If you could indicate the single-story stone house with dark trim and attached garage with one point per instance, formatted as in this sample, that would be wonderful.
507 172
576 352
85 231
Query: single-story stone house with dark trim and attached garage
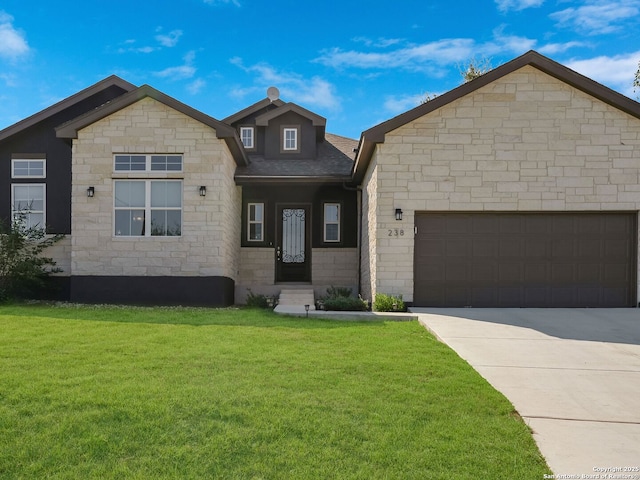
519 188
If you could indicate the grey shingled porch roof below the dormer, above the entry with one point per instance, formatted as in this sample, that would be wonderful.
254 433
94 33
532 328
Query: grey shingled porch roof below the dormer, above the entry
333 163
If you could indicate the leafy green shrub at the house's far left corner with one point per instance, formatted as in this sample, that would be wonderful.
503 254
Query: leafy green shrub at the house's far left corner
23 269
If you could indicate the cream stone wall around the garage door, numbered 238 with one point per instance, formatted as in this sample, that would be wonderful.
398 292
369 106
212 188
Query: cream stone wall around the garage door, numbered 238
527 142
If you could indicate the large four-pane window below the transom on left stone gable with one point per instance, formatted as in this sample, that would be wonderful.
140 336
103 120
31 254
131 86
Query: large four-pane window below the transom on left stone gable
144 208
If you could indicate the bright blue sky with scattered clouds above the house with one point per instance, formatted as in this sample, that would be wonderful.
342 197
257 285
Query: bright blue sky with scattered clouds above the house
356 63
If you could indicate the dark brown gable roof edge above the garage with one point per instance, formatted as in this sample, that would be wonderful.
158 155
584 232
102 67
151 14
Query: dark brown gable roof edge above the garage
374 135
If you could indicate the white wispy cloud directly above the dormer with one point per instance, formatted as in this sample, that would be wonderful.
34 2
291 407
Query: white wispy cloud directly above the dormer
314 91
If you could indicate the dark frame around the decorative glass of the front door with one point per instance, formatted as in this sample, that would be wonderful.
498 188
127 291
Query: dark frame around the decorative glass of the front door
281 273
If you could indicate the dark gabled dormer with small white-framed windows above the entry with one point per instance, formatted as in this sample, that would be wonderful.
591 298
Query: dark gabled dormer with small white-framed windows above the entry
273 129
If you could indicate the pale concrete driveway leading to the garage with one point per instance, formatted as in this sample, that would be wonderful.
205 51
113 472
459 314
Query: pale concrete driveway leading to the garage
572 374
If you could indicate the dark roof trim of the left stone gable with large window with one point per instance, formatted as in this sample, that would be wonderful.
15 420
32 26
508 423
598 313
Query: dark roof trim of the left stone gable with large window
223 131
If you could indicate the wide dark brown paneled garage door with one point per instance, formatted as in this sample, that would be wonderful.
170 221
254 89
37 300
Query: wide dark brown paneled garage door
525 260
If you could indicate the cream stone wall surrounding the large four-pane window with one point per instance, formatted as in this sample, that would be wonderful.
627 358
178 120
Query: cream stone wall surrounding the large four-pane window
211 224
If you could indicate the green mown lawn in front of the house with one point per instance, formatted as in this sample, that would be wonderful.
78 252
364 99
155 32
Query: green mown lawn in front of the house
151 393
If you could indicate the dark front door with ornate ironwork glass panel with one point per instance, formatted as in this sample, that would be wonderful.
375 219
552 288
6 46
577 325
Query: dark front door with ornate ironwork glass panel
293 262
